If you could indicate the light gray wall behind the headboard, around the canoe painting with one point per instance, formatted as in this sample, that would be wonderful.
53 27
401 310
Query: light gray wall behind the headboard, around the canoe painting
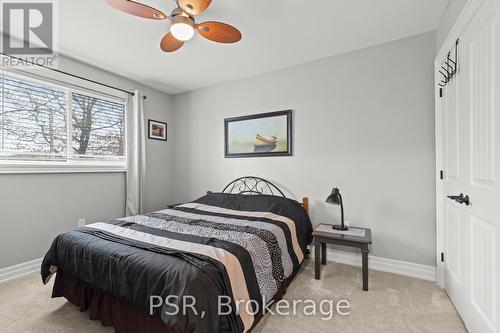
363 121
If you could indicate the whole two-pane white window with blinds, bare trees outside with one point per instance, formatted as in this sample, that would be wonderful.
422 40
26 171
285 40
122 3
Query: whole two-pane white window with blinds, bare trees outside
54 125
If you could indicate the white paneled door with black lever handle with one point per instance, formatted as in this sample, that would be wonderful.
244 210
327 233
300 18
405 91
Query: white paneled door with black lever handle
471 146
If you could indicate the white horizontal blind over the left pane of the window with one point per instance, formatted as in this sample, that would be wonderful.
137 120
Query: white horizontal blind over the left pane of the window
33 120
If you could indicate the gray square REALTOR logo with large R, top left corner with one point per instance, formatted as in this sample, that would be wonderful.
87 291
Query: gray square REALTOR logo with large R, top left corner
29 31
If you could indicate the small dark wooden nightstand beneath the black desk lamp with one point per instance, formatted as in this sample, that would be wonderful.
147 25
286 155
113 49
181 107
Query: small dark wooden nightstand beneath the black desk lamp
354 237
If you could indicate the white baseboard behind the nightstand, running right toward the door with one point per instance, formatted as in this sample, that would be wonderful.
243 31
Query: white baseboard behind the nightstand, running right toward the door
385 265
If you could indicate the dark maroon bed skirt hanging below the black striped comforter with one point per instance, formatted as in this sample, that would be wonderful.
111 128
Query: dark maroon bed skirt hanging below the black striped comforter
111 311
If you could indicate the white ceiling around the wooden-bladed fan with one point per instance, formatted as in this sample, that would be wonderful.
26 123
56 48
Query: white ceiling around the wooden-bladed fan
276 34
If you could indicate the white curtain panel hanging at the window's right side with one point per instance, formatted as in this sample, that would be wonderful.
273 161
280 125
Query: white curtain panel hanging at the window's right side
136 156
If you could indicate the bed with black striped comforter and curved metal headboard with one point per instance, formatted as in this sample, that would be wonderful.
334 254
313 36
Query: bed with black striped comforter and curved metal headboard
241 247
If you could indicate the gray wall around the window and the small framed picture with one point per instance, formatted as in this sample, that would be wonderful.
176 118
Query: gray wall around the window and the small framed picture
35 208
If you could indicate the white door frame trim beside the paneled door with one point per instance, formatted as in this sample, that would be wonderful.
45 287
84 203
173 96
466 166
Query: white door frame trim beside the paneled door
460 25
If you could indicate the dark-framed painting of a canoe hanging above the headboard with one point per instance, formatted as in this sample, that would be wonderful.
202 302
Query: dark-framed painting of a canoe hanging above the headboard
259 135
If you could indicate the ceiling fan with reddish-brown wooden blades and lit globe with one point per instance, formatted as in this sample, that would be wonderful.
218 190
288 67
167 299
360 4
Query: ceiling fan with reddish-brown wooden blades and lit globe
183 25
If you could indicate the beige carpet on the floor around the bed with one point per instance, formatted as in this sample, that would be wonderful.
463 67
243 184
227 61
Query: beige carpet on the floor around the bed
393 304
